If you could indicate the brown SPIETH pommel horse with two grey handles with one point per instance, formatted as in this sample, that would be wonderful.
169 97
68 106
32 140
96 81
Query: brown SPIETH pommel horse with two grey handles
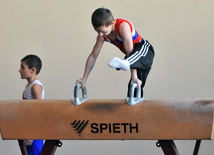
164 120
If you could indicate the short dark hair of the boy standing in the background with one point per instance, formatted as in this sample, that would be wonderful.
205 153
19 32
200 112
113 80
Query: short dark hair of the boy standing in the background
33 61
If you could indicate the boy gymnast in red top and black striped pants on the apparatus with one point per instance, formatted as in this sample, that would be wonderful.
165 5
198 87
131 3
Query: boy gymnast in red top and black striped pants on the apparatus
120 32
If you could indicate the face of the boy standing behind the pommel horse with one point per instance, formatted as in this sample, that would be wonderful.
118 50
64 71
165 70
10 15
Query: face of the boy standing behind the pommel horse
24 71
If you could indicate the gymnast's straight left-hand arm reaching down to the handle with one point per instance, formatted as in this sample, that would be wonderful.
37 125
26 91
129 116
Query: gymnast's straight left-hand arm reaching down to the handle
91 60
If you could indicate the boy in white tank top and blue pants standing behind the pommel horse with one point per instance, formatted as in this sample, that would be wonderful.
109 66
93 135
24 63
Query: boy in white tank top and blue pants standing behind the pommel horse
30 68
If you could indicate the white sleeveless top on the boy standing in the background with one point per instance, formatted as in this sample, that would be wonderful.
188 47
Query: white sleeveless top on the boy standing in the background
28 93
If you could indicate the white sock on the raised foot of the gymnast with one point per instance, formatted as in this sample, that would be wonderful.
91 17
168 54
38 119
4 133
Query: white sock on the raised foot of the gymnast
118 63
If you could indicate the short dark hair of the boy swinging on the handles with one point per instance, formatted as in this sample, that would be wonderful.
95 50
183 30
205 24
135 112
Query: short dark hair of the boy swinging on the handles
101 17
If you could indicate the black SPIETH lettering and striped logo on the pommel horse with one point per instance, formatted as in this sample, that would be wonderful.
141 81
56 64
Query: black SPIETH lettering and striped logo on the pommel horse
80 125
